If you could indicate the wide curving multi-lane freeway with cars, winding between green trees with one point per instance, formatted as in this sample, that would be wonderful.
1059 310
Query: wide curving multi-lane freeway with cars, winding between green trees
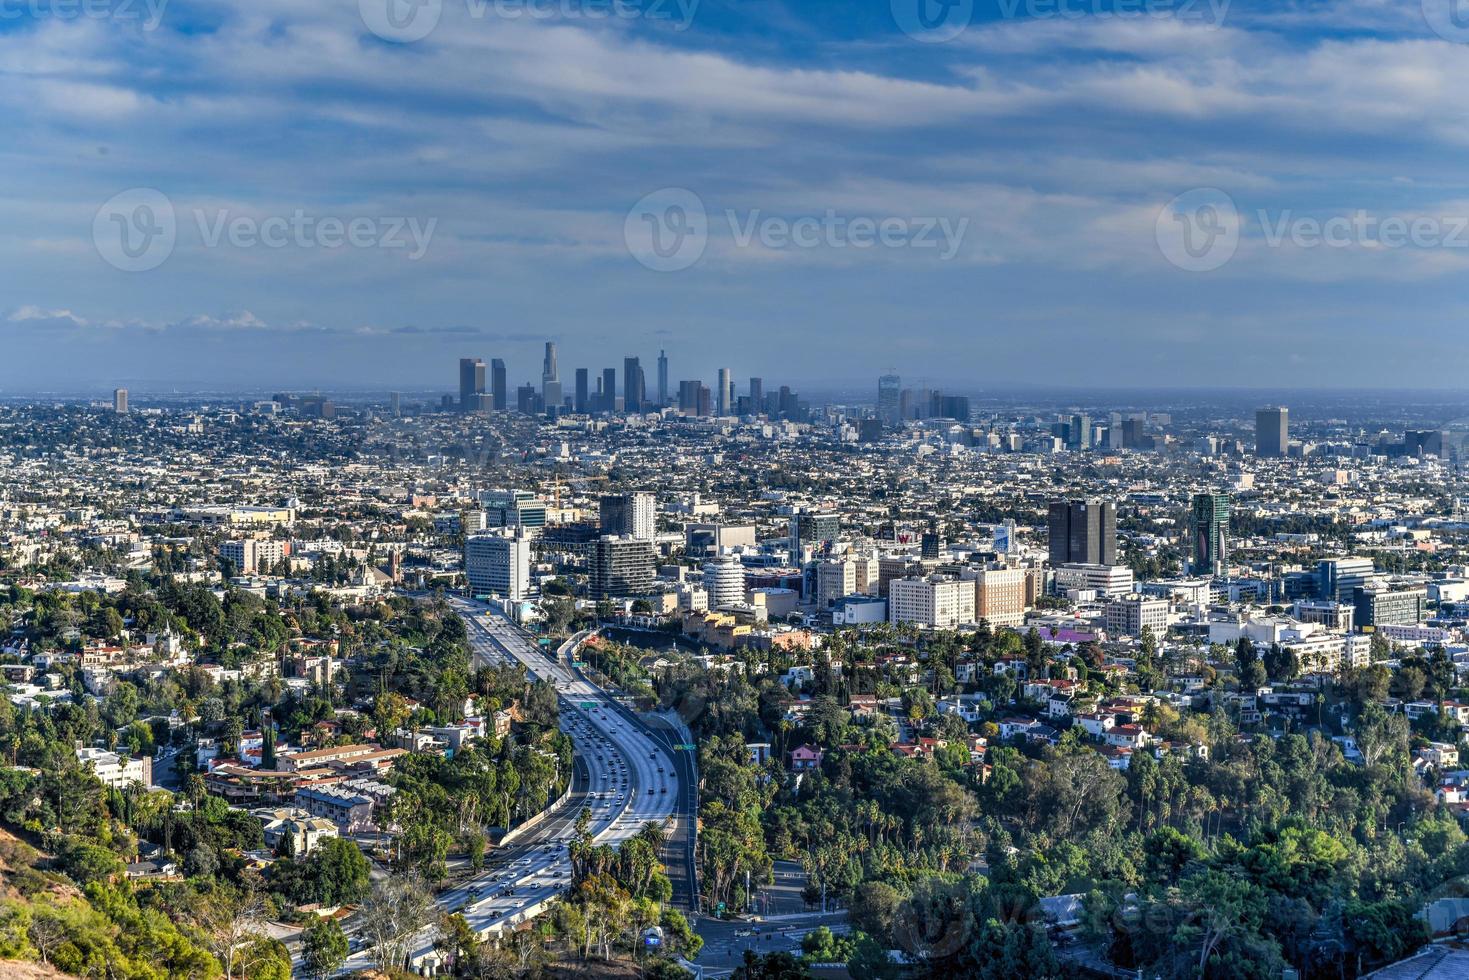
632 781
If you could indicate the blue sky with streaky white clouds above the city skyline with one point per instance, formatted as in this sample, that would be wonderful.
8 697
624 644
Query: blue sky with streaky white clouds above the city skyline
1054 140
